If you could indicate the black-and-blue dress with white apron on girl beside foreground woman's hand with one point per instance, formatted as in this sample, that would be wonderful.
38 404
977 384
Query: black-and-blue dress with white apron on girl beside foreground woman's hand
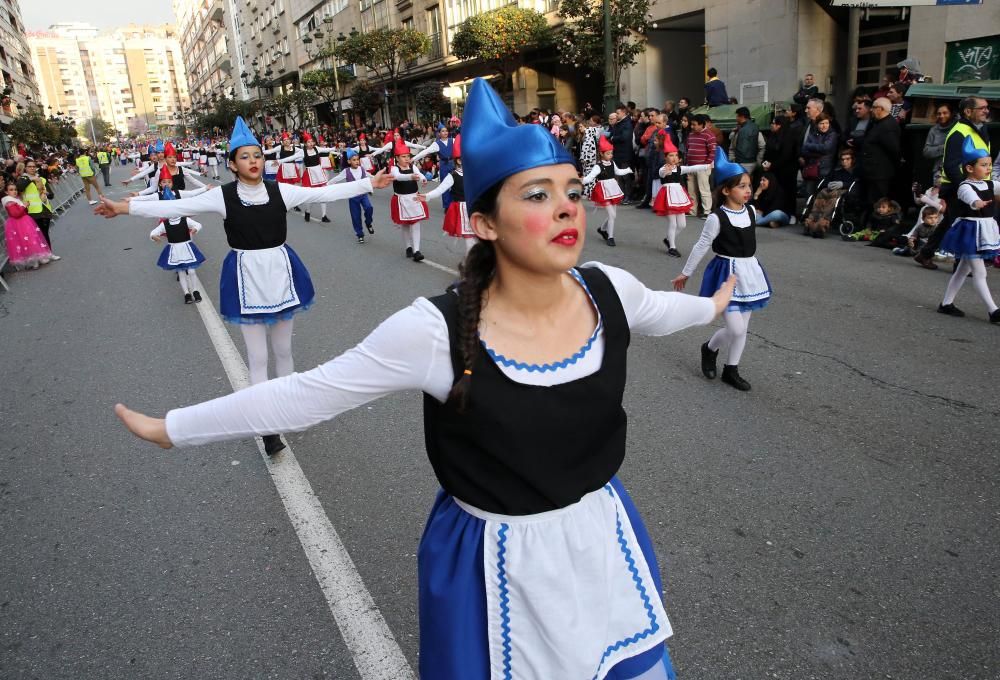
734 249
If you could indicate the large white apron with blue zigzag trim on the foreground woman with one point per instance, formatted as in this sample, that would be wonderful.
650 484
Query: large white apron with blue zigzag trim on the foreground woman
568 592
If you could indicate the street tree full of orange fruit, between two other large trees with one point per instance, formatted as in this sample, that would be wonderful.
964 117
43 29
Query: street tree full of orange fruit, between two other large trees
500 38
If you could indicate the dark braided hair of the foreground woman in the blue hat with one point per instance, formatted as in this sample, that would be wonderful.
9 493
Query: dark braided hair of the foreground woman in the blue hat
477 272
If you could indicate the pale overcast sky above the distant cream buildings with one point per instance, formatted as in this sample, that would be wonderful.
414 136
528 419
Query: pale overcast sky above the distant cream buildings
38 16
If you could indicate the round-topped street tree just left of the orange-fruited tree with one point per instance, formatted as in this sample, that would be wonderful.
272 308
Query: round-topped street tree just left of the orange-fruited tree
384 51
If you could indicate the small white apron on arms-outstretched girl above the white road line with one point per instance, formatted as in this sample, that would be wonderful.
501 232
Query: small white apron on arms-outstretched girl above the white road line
264 281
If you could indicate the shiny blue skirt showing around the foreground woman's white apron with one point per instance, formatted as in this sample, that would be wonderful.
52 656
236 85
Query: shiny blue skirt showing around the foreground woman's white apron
453 611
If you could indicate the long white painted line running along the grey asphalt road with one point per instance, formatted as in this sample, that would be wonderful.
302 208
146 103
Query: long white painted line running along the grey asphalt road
376 653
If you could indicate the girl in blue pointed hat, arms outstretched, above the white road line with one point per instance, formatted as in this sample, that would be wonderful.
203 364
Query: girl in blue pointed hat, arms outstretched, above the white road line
263 282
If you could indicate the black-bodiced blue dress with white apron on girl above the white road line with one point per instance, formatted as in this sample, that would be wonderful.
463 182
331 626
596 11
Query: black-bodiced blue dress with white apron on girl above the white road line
262 280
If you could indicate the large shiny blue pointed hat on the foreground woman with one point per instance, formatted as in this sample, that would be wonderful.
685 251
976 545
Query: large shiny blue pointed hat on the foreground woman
494 146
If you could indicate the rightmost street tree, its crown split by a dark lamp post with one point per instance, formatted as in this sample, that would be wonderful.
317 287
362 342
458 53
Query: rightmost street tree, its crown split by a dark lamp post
581 41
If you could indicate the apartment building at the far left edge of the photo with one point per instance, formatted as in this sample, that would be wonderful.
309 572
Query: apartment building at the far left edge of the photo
16 70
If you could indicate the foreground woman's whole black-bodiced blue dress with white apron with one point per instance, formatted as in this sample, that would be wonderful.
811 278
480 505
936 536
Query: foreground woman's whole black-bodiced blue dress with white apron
534 564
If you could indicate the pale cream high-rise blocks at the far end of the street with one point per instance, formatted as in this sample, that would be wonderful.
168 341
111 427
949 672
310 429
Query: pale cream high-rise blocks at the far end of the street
132 77
